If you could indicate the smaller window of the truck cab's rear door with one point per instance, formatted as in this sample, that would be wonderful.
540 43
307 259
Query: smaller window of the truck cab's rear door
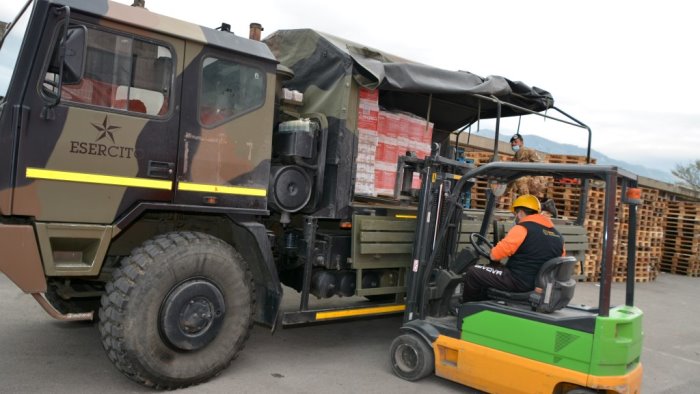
228 89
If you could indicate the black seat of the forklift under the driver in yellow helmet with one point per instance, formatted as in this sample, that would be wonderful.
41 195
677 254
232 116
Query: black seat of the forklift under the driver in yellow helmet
554 287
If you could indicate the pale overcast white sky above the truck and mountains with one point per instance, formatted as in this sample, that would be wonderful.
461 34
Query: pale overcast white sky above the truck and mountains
628 69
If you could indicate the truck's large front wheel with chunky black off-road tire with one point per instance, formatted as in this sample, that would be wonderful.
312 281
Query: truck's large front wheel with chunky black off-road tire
141 318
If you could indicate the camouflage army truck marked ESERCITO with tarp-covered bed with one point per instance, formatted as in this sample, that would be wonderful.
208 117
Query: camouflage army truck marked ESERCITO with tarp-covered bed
172 177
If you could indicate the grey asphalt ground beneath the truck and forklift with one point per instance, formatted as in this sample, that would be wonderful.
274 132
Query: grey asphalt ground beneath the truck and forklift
38 354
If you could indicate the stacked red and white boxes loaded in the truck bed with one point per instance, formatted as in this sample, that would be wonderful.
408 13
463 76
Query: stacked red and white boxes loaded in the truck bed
383 136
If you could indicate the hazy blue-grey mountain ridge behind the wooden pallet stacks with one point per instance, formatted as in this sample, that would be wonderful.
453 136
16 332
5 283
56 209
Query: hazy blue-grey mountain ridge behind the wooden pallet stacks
549 146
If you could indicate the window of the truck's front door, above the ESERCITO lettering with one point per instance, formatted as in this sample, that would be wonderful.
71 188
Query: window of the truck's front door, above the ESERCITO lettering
123 73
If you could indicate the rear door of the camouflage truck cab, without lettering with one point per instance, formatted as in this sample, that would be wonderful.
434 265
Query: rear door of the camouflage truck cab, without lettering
226 139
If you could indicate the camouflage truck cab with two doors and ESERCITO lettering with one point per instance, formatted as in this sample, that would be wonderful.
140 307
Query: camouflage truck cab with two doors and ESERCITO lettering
94 134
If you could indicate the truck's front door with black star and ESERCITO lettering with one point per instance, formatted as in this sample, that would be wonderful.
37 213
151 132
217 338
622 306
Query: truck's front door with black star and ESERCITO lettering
111 143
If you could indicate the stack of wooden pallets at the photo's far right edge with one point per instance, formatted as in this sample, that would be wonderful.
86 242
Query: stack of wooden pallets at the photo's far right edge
681 253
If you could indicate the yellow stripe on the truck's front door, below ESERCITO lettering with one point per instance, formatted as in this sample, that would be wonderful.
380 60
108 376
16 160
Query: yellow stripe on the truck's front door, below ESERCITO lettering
98 179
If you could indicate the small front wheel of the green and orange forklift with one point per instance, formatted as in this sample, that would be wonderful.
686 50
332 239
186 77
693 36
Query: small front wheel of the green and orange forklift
411 357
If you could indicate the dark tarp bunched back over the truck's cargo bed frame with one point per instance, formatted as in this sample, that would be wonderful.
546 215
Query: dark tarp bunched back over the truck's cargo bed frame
406 85
